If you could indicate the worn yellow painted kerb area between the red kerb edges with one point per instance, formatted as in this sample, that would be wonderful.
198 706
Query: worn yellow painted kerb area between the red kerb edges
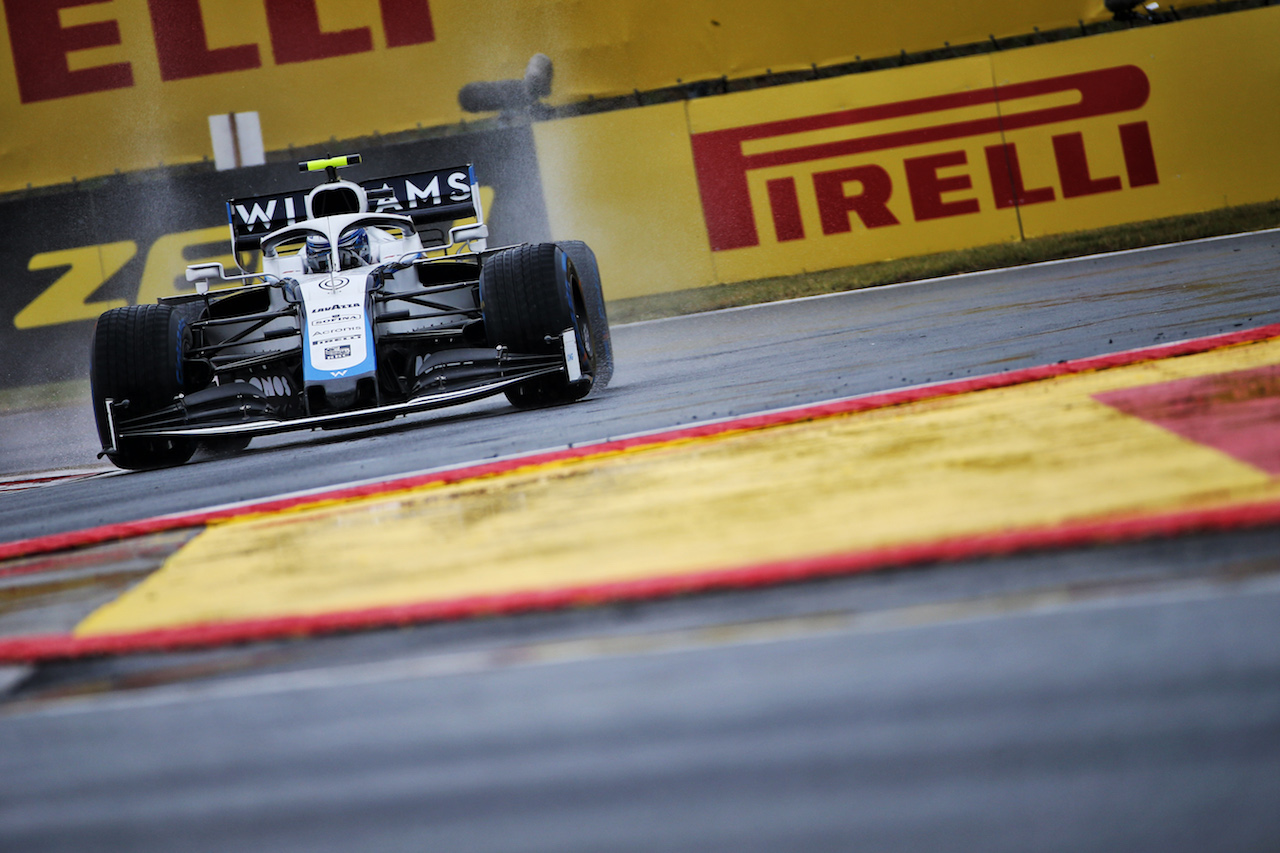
1026 457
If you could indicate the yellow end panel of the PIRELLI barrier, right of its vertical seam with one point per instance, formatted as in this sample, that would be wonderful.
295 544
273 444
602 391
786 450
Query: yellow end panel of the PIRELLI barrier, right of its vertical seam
1204 139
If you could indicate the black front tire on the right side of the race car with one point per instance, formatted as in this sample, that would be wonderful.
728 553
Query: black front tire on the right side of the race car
531 294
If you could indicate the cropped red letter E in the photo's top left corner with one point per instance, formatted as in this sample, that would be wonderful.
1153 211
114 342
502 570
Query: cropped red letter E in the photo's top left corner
40 47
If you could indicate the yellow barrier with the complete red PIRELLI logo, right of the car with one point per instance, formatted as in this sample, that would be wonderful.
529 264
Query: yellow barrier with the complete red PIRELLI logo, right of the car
1076 135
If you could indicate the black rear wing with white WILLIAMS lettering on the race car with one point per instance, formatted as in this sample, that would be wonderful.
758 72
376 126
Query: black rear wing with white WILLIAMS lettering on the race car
437 197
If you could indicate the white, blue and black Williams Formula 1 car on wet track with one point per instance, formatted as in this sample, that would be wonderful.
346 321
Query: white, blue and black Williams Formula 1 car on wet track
371 304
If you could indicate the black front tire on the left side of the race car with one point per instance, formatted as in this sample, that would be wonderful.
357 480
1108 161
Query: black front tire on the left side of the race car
139 357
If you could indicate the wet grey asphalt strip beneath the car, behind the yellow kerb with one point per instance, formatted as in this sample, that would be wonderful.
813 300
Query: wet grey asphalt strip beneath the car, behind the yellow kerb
717 366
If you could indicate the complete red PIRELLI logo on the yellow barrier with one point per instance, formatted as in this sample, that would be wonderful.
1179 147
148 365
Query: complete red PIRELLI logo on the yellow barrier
724 163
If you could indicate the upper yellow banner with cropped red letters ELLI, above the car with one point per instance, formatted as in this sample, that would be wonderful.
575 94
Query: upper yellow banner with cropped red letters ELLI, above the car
90 88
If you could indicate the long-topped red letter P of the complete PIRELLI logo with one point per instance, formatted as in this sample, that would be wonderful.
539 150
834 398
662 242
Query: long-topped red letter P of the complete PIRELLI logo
723 167
